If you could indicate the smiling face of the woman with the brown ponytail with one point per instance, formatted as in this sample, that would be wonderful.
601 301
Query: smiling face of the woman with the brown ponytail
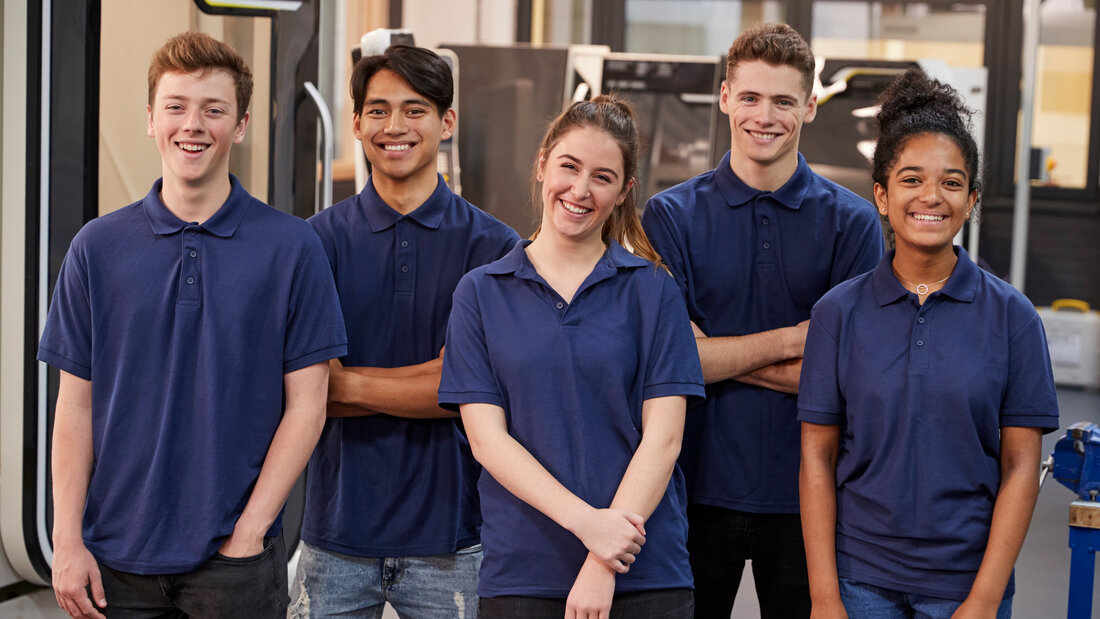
582 184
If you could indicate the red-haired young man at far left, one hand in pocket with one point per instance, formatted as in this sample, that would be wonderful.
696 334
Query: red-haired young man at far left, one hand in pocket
193 330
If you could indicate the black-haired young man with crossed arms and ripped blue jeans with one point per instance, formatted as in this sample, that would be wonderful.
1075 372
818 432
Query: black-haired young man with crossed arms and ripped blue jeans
392 511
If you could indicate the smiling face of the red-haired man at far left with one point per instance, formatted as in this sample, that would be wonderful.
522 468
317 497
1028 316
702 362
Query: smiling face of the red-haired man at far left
194 121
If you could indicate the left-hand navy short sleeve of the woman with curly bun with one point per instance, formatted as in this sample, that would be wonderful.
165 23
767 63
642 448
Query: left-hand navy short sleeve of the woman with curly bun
820 399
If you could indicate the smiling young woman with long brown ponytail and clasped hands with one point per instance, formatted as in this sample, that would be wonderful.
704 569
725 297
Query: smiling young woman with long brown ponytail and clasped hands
571 361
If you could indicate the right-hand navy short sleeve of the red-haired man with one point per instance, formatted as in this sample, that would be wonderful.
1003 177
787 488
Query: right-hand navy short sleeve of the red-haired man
315 330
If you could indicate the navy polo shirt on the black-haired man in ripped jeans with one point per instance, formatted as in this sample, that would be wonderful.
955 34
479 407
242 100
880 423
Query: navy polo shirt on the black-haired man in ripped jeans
382 485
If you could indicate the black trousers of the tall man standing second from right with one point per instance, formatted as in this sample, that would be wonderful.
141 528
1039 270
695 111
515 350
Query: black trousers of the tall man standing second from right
722 540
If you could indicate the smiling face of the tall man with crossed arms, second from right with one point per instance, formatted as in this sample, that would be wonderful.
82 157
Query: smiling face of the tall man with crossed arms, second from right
767 106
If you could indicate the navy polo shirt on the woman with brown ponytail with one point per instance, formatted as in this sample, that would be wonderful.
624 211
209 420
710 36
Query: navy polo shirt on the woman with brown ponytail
571 379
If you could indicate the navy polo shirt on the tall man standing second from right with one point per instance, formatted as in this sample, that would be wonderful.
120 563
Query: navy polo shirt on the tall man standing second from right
751 261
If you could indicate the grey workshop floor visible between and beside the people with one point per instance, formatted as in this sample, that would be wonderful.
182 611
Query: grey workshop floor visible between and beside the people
1042 571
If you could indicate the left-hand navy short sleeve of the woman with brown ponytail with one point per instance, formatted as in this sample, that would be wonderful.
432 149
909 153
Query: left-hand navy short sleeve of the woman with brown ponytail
468 377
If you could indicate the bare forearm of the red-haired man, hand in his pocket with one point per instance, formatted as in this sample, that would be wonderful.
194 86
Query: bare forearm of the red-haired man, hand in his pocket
290 451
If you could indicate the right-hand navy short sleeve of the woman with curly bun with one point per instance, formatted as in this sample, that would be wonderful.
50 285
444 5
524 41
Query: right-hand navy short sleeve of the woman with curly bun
1030 396
